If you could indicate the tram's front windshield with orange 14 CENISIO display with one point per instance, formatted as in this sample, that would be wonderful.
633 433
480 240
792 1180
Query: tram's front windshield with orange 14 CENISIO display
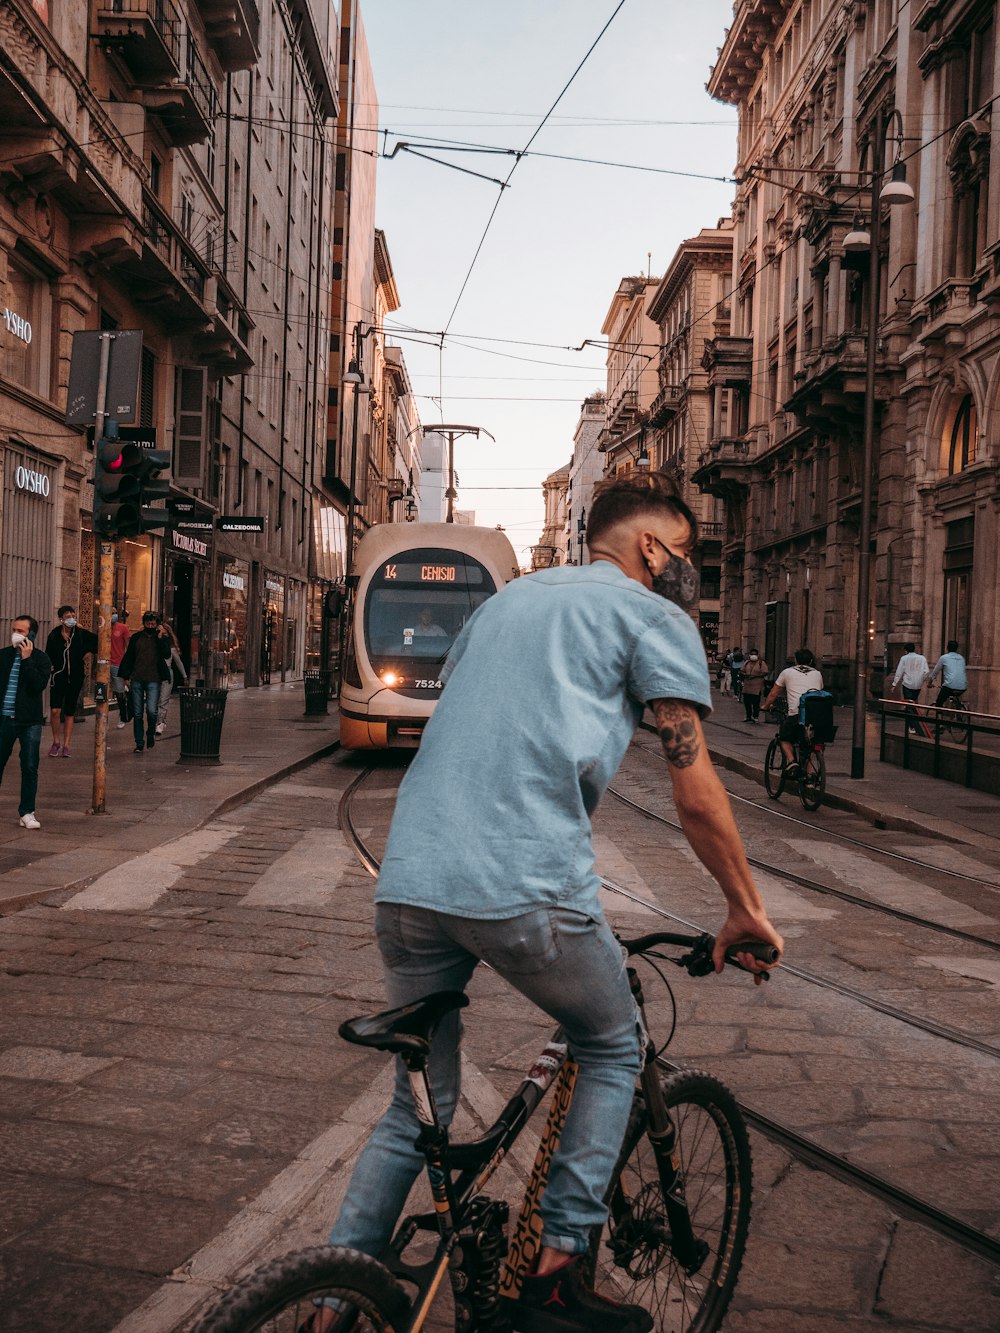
418 603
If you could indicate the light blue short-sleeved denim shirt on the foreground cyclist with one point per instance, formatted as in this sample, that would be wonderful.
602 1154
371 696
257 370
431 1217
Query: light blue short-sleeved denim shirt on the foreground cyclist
546 688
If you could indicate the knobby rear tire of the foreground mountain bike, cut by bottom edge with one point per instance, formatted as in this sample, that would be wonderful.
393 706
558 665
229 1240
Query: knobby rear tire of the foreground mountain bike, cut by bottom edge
281 1296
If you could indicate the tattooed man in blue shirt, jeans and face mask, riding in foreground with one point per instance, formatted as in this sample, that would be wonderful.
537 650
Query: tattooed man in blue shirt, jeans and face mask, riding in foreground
490 858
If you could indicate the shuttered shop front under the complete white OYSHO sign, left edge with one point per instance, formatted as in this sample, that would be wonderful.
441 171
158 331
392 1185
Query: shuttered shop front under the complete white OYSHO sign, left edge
29 537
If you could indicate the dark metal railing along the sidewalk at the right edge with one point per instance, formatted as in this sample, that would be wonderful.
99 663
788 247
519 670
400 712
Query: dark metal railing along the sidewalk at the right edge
955 744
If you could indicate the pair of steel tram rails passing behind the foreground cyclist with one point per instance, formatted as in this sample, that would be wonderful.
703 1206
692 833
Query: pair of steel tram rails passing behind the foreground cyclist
799 1147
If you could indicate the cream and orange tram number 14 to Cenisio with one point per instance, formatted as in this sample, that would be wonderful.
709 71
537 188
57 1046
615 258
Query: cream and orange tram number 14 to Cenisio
418 585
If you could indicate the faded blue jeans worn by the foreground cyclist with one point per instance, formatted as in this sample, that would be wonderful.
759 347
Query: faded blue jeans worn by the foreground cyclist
570 966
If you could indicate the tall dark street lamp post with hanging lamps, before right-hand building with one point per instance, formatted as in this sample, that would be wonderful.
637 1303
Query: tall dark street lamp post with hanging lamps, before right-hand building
895 191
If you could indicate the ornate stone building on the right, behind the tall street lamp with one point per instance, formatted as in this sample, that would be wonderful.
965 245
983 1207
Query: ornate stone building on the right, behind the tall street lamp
814 85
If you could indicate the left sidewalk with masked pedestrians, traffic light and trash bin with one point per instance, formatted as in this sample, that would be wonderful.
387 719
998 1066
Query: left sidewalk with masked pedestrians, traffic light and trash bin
151 798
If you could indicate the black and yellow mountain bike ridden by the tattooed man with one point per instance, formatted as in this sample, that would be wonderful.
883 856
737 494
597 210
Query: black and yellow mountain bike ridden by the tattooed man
678 1207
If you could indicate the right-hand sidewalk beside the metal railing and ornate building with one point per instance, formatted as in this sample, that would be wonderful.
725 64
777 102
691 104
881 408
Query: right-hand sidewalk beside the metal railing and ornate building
887 795
